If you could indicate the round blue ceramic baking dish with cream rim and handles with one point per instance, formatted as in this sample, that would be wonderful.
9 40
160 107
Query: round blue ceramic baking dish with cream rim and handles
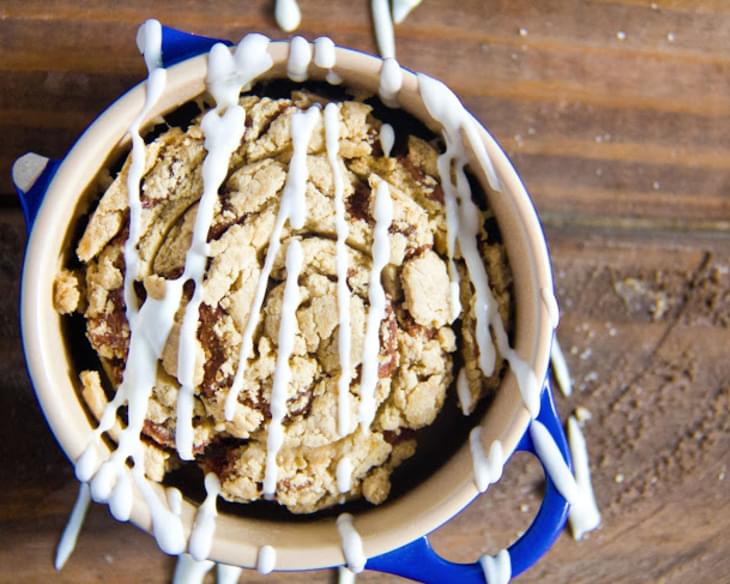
393 533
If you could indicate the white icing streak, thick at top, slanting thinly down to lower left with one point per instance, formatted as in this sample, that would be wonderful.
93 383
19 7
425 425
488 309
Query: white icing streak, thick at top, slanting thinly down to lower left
292 207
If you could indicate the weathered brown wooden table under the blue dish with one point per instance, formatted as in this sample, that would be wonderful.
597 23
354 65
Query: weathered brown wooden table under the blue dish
617 114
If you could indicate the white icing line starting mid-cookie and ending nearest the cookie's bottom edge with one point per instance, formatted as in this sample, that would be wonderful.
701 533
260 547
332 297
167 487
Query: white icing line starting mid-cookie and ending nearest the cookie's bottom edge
282 374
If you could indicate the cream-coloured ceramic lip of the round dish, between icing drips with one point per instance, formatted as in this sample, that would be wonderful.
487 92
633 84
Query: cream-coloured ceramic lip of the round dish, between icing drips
299 544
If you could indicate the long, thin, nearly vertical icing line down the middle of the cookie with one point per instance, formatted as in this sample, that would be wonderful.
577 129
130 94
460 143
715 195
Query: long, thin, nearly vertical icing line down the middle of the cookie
344 333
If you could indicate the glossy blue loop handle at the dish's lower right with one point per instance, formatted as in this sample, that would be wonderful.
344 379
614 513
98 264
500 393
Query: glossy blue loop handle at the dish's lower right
418 561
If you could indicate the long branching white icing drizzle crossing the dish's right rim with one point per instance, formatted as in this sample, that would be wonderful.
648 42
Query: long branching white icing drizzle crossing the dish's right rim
446 109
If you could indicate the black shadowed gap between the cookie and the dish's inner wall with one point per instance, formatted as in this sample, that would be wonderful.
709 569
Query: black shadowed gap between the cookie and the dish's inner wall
436 444
